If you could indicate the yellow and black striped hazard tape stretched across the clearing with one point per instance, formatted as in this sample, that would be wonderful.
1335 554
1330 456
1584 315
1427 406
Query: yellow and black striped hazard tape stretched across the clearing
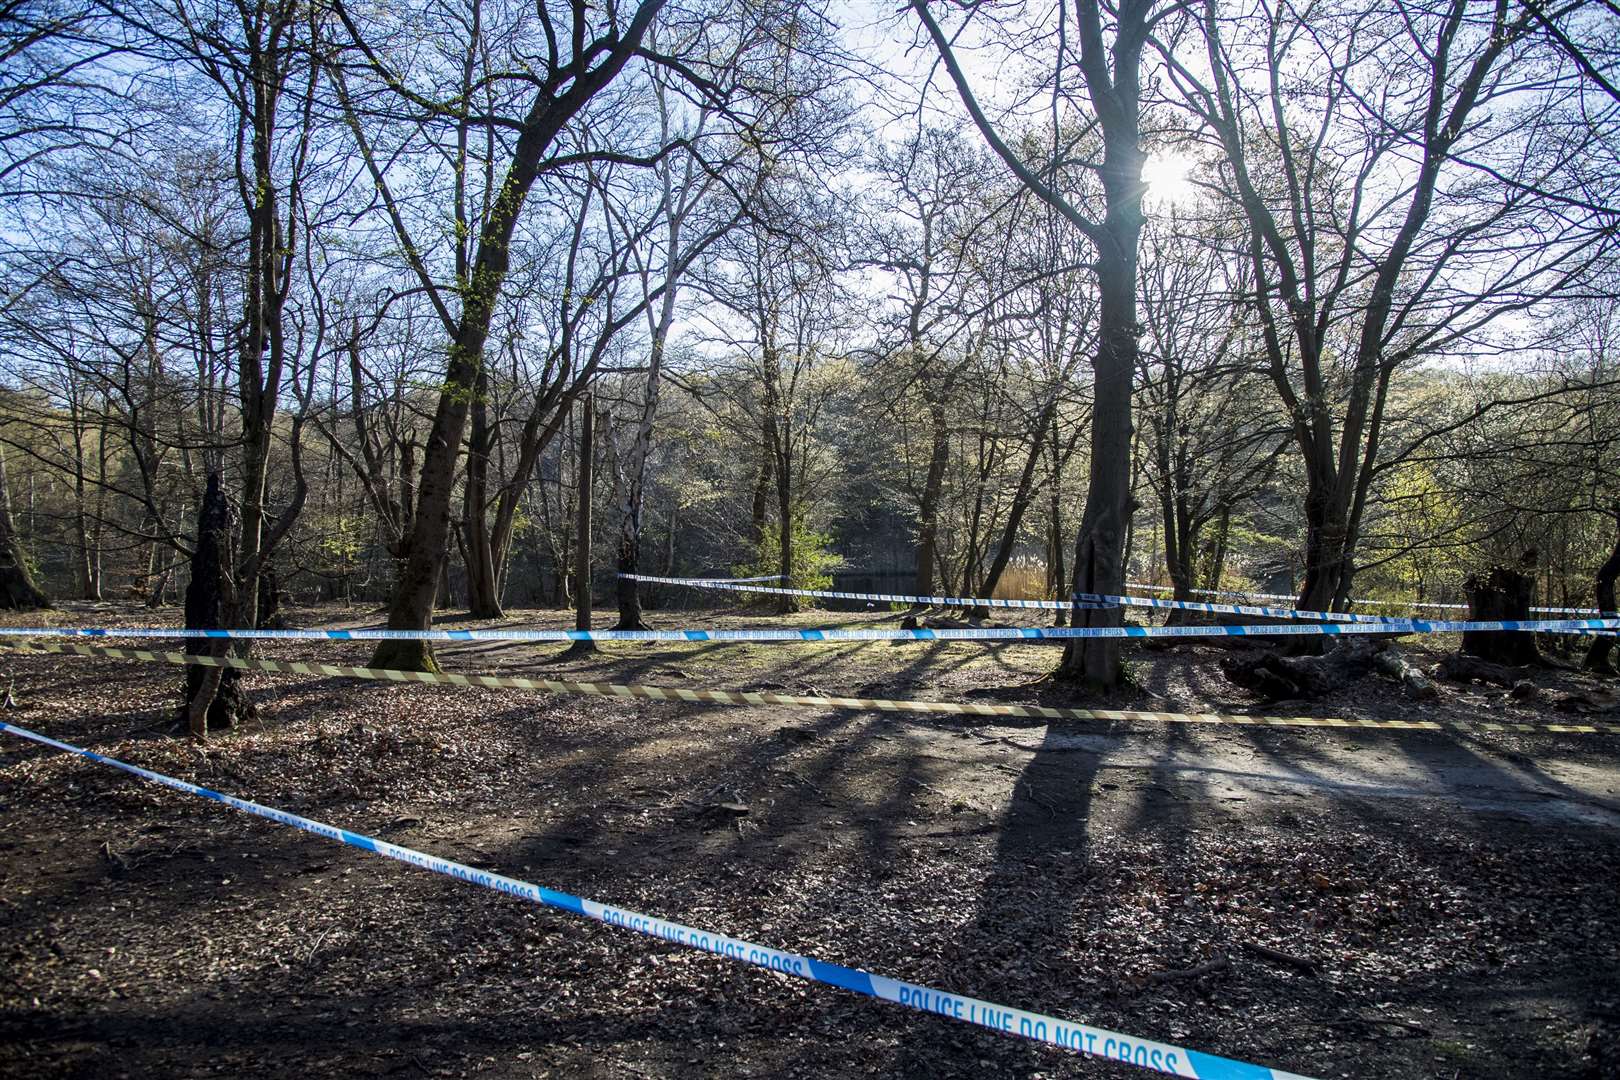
804 702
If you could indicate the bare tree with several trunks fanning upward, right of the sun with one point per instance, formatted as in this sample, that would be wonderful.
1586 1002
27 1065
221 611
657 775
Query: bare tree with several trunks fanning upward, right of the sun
1378 221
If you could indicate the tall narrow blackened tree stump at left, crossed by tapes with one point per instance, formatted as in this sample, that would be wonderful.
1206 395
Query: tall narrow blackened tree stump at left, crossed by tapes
215 697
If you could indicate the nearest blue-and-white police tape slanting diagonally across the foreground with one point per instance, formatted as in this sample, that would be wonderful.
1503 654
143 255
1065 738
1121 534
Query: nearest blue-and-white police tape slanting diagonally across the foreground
1093 1042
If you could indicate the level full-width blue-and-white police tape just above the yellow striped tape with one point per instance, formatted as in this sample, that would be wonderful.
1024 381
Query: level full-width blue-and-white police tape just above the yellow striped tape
764 634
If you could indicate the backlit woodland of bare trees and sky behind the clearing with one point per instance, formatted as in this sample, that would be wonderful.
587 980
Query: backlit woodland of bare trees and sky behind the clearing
1007 299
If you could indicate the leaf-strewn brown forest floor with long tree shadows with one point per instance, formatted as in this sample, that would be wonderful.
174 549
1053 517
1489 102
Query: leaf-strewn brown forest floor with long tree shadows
1456 895
